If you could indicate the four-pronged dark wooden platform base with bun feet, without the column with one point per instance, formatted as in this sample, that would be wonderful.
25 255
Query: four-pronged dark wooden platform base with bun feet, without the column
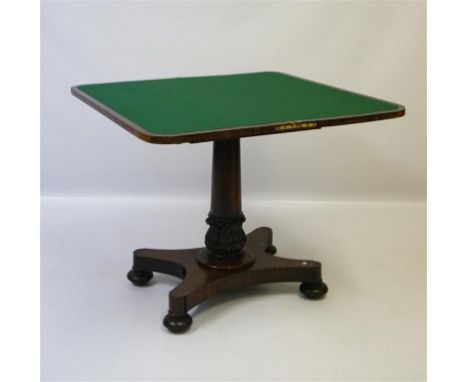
201 282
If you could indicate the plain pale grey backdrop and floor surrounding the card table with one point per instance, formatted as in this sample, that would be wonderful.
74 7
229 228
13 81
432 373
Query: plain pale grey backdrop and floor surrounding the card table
352 197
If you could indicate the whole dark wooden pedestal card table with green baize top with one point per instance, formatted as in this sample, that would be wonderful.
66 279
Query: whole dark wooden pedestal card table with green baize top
223 109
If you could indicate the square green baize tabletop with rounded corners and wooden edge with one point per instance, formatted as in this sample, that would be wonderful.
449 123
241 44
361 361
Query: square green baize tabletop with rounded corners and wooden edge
199 109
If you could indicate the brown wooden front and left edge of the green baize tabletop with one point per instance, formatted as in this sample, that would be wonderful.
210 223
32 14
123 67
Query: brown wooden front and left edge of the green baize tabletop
235 132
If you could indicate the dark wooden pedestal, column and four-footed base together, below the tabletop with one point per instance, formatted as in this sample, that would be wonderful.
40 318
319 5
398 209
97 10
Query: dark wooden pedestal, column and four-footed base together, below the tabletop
230 259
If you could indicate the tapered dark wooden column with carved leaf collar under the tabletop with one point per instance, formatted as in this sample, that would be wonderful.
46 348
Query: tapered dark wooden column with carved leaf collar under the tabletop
225 238
